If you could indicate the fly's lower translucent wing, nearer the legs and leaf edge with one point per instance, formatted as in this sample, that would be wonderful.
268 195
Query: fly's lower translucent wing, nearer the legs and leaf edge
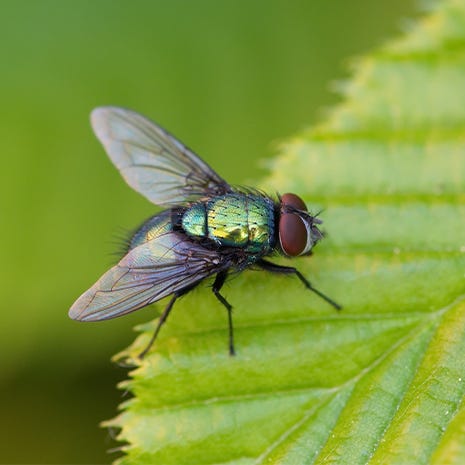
149 272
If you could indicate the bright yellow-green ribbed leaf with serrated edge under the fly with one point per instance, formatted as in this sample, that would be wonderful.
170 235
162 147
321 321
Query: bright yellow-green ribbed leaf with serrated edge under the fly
382 381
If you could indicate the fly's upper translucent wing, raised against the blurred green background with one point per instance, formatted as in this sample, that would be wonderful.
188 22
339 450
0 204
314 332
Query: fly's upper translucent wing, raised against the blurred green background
152 161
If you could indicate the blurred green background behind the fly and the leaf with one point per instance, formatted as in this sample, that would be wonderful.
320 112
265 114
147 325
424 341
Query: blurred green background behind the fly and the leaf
227 77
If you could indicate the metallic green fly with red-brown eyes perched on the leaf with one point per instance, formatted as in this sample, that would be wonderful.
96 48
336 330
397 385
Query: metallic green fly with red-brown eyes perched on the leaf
208 228
